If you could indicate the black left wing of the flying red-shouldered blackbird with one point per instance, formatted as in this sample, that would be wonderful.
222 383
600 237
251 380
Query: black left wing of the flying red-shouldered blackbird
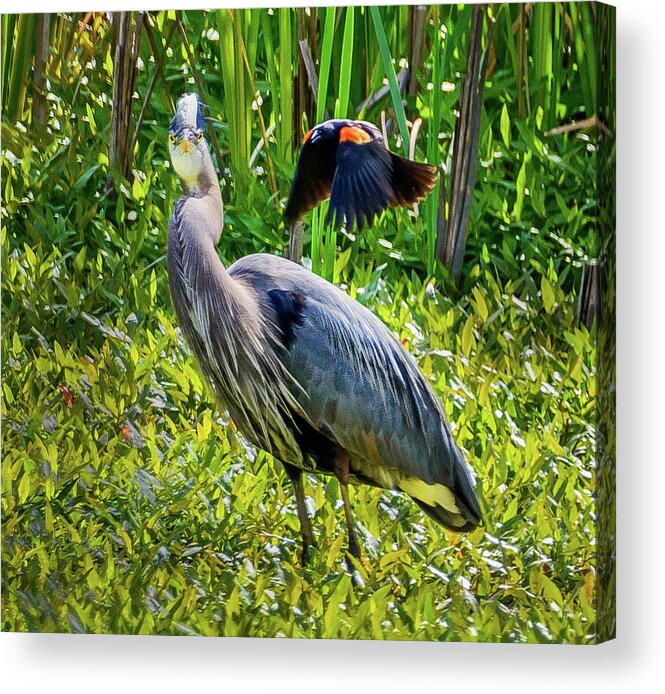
313 178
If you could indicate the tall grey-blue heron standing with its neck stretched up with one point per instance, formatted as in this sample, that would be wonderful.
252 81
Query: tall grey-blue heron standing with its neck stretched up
305 372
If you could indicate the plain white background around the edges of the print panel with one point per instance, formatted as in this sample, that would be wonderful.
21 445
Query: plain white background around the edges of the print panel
634 661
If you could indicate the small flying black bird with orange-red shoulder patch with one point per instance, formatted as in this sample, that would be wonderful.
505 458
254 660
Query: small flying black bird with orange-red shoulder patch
347 161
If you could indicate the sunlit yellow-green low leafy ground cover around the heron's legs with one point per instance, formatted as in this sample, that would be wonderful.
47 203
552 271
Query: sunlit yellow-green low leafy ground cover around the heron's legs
130 507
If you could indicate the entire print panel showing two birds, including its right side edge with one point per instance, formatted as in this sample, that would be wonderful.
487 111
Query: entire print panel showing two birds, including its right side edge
152 389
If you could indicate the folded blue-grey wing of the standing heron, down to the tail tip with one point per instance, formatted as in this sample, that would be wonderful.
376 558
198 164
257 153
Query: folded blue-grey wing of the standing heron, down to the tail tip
365 392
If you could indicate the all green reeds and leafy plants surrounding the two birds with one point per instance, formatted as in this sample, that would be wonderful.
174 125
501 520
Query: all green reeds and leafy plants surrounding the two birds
129 503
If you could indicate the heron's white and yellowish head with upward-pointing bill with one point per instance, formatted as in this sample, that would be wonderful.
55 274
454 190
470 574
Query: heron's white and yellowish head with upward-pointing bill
187 145
